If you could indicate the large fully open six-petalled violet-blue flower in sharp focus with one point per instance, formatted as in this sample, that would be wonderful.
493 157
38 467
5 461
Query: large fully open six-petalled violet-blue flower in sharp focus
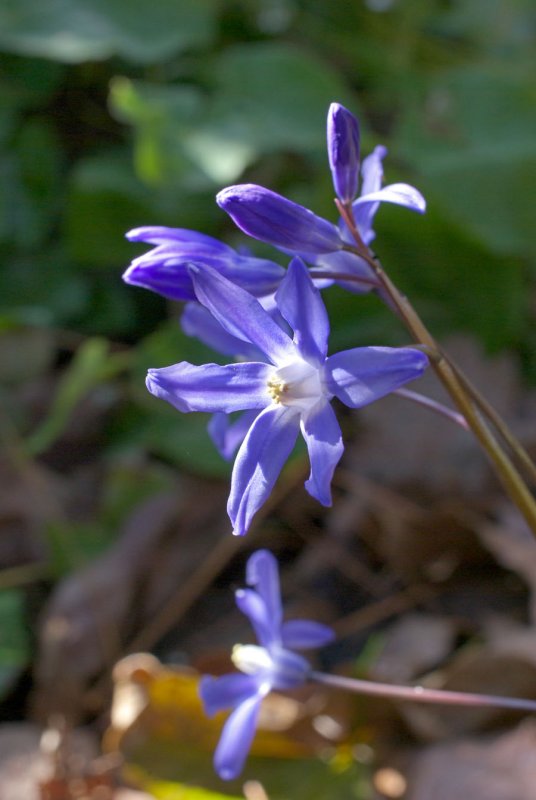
290 389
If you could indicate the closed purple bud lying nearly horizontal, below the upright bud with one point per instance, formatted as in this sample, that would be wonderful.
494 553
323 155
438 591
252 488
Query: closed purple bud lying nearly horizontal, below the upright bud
271 218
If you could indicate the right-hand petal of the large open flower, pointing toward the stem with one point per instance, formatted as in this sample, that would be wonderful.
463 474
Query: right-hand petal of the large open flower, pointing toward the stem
360 376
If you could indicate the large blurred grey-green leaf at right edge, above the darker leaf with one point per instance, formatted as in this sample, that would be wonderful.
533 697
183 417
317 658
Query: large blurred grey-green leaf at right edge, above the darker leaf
473 143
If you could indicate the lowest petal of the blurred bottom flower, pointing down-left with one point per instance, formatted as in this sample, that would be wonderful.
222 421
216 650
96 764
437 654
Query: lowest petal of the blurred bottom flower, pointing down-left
237 736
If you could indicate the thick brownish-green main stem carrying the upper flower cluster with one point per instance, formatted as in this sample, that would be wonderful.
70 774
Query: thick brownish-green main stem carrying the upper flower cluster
511 478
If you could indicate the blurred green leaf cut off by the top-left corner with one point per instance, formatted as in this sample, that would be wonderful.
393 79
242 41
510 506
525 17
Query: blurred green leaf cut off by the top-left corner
73 31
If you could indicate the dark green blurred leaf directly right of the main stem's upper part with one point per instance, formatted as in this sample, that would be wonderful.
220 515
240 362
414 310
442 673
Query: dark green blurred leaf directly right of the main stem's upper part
457 282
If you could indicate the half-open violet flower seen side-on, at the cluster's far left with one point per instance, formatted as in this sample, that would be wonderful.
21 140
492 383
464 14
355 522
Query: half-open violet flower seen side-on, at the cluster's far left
164 269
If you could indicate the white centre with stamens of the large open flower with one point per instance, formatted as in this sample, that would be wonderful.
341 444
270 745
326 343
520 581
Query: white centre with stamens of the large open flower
298 384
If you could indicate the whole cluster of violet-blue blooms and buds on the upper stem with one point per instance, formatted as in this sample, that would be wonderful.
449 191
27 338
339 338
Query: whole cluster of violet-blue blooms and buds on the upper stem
276 323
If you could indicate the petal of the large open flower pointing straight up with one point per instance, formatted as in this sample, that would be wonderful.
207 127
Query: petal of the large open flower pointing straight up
301 305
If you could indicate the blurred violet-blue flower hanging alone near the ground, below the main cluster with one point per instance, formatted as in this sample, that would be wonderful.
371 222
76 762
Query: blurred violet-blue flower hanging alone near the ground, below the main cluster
269 665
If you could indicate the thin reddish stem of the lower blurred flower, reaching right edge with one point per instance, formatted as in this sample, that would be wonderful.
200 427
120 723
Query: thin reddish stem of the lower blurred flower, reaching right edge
419 694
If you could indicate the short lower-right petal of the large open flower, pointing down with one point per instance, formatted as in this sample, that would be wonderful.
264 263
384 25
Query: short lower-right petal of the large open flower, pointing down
323 437
